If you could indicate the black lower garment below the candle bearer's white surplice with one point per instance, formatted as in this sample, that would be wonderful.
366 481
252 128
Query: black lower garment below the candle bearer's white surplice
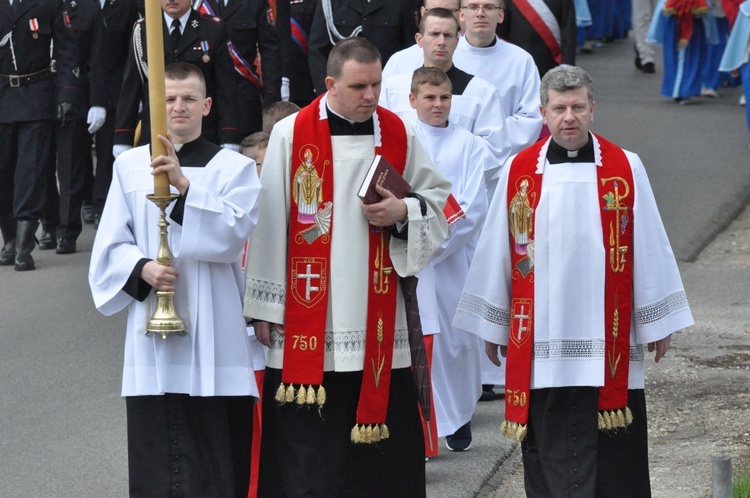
180 445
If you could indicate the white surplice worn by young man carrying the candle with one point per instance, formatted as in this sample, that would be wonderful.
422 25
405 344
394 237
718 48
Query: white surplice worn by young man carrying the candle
214 358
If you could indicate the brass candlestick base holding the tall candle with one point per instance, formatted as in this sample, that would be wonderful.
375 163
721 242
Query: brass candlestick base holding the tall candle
165 319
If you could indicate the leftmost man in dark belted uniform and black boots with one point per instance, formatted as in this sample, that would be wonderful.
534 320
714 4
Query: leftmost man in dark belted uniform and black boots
27 123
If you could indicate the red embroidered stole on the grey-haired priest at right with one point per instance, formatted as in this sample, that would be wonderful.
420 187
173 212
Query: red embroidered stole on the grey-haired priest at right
616 196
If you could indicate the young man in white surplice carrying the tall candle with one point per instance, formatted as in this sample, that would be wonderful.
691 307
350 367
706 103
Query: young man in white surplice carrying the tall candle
188 398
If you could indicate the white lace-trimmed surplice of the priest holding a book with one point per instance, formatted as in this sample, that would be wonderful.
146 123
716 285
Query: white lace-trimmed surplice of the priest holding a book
347 299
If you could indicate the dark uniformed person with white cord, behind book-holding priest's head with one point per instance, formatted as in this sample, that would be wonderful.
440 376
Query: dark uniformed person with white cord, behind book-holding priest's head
389 24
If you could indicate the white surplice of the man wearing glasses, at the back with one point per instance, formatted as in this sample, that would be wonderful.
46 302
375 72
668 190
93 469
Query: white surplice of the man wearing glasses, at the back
512 71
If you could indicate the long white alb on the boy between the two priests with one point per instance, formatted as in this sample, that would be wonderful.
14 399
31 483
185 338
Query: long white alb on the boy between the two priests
462 158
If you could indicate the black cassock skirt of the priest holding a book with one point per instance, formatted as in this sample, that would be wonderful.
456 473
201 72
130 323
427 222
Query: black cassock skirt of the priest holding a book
306 452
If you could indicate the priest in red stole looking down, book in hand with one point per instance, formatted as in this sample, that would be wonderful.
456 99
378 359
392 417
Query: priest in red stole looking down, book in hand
340 413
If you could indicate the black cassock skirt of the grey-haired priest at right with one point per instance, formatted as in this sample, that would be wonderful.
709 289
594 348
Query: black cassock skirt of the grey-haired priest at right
566 455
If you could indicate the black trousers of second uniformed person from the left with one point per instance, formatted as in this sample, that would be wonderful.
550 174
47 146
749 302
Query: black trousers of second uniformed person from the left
74 162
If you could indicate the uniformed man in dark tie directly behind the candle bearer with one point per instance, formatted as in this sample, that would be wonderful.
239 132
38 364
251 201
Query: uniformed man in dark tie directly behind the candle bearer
200 42
